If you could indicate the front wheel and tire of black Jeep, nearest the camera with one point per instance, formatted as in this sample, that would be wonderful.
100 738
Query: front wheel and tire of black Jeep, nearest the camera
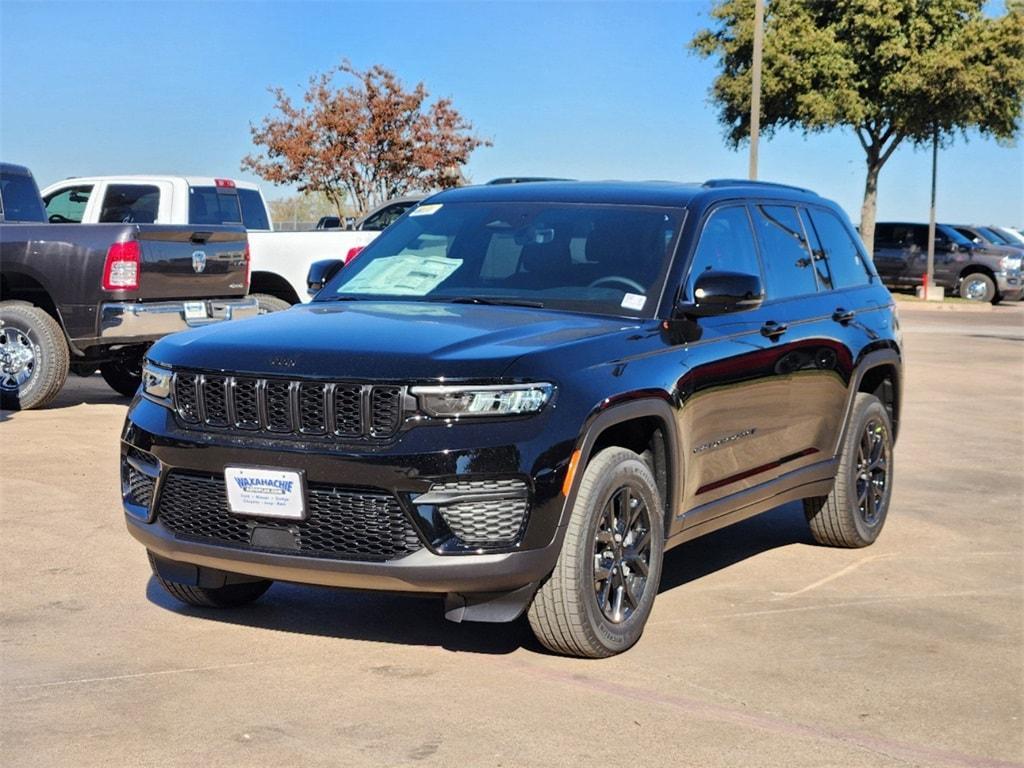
575 614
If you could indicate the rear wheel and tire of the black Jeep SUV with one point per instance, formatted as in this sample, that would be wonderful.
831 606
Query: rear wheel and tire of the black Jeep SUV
854 515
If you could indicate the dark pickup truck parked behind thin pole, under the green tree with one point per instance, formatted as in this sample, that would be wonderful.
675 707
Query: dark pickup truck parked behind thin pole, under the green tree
979 272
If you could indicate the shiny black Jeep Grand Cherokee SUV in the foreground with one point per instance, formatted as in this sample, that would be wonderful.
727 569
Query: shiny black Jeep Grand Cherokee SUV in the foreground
520 397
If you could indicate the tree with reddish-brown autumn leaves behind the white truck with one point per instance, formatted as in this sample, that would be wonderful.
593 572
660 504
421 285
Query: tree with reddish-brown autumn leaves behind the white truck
368 142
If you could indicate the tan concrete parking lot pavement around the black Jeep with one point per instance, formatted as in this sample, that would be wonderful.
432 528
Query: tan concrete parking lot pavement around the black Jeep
763 650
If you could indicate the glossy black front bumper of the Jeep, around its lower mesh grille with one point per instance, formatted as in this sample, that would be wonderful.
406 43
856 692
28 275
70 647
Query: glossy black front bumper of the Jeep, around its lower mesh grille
410 468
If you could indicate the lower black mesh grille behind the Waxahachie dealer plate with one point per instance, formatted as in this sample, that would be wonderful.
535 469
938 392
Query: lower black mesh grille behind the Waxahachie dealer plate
342 523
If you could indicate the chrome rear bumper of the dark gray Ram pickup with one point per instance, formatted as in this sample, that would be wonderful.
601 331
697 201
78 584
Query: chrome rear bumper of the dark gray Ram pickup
122 322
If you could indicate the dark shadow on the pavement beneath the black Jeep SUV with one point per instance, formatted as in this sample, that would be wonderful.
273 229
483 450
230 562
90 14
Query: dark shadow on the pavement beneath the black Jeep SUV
417 621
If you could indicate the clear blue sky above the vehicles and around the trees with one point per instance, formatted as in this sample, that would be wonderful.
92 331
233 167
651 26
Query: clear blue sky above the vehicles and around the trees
586 91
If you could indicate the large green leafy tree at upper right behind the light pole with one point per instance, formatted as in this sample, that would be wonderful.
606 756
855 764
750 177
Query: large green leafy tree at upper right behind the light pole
891 71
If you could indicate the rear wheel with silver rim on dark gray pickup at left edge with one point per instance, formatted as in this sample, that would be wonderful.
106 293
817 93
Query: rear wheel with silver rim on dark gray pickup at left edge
34 357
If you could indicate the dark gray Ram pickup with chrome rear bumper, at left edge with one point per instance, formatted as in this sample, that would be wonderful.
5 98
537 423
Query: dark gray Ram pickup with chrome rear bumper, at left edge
81 297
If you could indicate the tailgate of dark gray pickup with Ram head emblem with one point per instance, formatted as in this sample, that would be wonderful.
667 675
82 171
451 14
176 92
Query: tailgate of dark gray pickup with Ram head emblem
192 263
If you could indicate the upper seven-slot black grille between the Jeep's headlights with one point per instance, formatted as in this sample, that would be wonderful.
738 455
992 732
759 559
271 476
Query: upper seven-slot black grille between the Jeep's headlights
283 408
